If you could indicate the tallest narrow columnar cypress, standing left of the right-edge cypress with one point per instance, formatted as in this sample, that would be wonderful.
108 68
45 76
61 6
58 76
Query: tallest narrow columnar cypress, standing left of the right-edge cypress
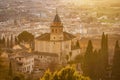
104 56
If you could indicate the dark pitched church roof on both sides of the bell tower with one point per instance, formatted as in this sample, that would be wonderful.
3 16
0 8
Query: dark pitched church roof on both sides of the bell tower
46 36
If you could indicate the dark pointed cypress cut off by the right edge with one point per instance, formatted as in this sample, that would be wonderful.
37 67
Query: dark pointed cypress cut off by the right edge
116 63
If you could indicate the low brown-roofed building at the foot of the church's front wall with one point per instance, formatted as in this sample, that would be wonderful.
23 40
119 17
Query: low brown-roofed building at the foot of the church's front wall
44 60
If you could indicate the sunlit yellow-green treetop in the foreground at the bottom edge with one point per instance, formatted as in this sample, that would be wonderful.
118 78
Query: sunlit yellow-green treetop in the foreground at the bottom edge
67 73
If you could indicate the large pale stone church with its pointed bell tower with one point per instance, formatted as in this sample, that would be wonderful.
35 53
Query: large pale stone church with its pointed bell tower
57 41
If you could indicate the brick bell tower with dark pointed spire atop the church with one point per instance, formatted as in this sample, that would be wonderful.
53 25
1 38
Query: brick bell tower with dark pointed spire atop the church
56 29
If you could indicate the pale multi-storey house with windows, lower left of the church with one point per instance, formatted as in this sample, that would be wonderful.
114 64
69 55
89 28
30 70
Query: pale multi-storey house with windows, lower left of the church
23 62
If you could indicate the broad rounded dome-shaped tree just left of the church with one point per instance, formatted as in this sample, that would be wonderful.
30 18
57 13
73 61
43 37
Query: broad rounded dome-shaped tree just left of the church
25 37
